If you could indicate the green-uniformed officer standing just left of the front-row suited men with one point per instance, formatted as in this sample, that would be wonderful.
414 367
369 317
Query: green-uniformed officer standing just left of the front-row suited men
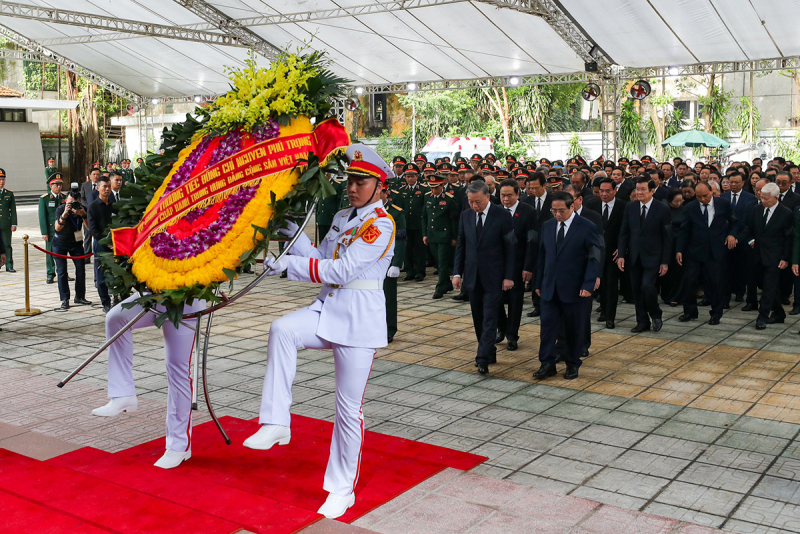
441 230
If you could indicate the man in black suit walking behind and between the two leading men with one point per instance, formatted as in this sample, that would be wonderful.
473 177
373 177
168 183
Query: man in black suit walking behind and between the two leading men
523 218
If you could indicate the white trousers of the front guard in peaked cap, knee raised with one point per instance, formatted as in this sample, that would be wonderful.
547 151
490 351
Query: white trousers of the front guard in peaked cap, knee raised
352 366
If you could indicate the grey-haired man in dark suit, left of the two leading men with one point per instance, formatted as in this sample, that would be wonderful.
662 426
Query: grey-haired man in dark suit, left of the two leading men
484 263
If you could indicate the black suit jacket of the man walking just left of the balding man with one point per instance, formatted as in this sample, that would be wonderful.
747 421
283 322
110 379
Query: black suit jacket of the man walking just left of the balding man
651 243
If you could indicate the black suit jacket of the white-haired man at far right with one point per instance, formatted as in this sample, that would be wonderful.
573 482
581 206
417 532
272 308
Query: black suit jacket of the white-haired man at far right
773 242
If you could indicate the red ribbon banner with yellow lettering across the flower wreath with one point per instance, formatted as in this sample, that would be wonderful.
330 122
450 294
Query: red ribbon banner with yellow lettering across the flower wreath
259 160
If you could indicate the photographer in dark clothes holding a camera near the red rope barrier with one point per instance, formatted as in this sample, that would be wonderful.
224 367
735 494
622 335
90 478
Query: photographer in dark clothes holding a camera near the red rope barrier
68 240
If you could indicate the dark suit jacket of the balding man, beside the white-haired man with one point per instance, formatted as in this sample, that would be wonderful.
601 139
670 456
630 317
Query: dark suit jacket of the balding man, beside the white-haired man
699 241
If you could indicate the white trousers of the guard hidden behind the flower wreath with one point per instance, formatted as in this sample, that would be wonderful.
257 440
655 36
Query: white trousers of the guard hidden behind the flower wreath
179 346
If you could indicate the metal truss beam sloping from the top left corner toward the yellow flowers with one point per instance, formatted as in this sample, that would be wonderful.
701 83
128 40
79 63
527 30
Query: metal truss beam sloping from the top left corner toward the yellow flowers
115 24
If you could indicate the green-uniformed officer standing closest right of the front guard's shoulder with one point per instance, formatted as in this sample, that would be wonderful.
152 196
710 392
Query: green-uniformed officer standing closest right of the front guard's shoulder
414 200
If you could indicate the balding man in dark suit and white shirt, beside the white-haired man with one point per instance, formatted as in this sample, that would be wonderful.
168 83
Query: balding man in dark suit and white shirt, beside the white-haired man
705 233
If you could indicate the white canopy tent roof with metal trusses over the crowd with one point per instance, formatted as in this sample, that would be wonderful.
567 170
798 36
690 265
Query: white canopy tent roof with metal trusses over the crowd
179 49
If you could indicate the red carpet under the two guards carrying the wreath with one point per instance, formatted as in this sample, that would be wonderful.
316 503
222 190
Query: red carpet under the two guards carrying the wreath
221 489
